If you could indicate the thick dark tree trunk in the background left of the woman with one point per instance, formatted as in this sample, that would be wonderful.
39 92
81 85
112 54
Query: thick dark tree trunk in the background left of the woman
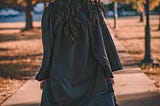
29 13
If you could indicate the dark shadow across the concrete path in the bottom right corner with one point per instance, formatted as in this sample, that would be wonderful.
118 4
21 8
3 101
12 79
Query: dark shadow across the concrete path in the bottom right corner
140 99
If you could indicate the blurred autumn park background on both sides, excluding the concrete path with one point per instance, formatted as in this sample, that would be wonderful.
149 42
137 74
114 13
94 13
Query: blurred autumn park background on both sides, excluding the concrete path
135 23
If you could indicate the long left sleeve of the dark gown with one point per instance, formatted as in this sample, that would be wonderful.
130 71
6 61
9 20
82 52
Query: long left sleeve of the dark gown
47 41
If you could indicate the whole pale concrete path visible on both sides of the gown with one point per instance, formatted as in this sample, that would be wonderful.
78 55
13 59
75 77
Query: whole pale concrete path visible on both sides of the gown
132 88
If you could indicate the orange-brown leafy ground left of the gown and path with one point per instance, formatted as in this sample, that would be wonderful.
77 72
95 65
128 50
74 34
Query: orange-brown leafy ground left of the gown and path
20 56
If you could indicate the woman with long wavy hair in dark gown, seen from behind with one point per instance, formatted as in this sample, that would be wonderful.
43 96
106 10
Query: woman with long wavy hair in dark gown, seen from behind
75 69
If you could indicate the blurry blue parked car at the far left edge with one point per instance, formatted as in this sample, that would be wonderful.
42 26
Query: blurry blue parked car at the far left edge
7 12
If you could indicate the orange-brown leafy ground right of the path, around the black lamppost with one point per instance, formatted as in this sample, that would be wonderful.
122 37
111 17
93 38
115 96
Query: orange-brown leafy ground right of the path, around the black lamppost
131 33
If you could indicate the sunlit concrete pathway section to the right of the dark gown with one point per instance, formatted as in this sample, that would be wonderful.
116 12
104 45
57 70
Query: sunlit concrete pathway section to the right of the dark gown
133 87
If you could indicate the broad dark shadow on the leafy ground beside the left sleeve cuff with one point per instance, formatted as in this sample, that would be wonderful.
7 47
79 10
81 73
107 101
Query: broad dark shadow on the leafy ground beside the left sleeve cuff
23 67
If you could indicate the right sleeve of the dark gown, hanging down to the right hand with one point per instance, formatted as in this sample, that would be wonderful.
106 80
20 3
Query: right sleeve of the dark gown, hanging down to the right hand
98 48
